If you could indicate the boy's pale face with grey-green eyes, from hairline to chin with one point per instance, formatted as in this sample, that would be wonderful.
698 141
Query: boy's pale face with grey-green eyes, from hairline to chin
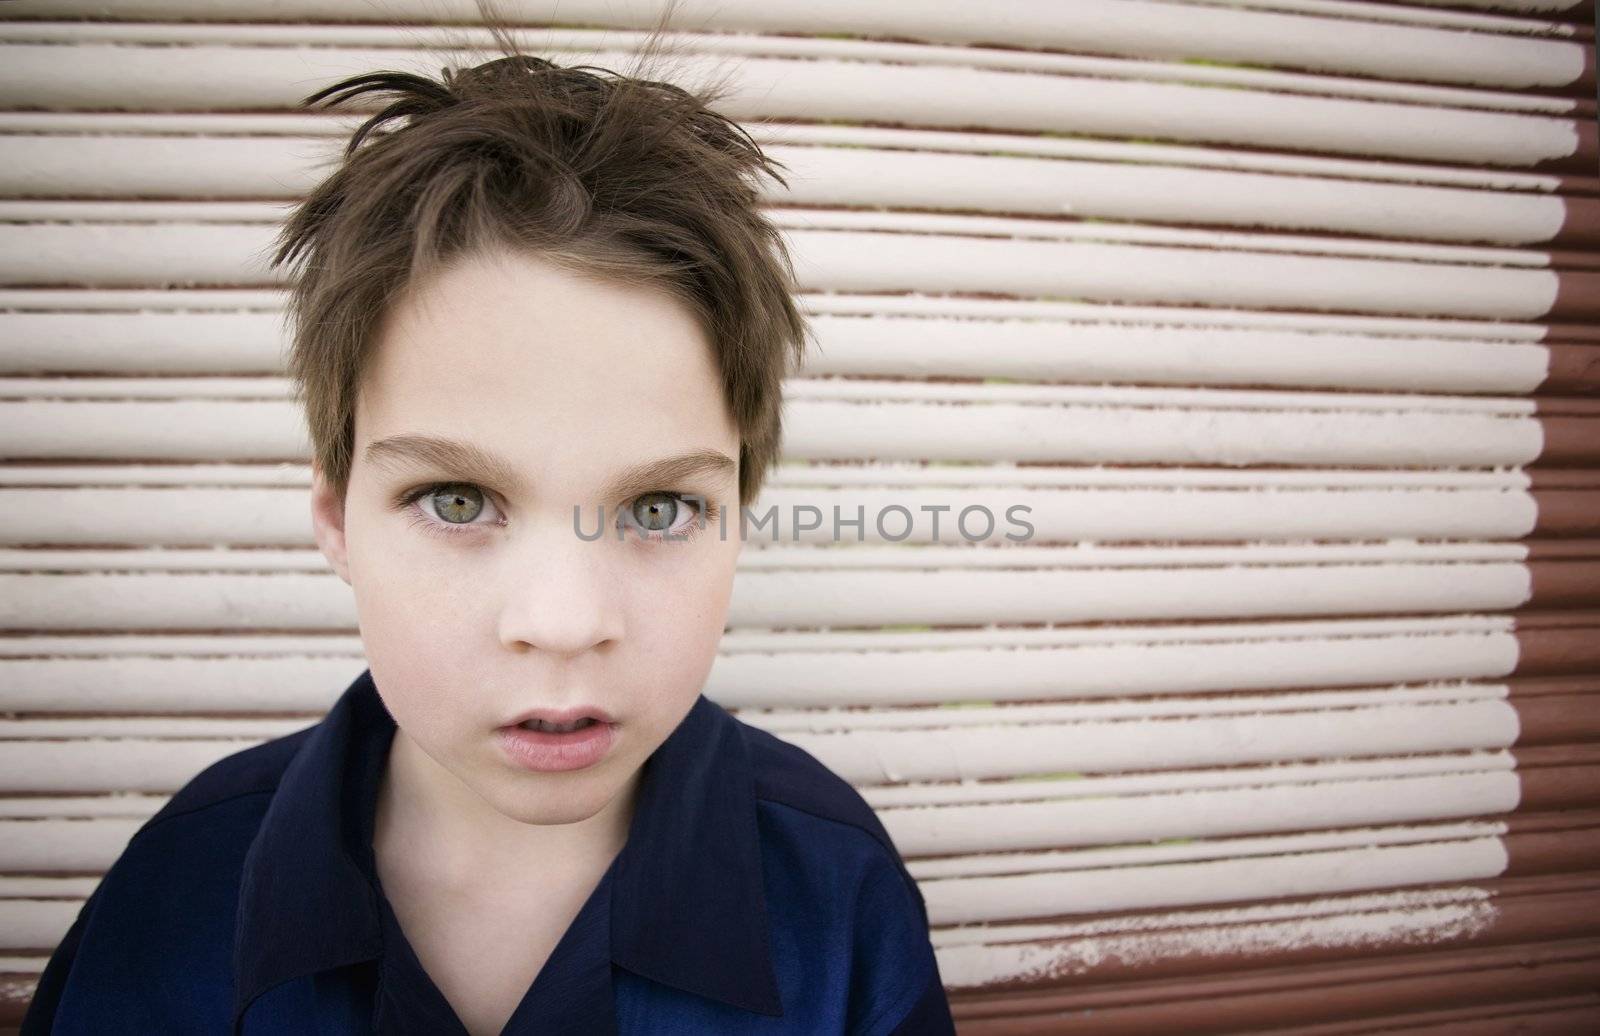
479 602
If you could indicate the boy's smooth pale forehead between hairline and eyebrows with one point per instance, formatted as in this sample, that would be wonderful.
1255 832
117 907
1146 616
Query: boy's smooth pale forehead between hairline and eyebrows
529 361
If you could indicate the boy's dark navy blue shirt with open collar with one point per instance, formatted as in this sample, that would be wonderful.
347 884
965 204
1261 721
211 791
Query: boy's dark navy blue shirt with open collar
756 893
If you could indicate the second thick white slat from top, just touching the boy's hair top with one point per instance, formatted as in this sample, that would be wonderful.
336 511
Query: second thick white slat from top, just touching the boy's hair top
278 78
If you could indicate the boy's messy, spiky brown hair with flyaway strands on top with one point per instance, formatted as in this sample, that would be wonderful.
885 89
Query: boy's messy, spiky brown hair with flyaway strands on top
609 175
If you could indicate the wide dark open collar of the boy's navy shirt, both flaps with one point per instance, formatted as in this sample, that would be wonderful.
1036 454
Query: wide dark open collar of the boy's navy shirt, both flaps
687 898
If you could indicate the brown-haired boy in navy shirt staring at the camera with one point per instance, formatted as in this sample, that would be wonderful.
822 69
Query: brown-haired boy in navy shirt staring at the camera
550 293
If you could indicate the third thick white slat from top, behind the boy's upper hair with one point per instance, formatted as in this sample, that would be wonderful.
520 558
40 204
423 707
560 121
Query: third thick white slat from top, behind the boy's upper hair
831 177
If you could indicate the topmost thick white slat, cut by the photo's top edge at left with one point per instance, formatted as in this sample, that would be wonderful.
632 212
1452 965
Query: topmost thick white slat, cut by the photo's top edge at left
1362 46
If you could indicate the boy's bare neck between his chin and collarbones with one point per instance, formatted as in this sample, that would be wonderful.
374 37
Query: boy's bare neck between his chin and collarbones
434 827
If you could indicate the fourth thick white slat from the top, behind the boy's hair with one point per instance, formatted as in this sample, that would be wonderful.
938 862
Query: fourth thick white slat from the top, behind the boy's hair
188 255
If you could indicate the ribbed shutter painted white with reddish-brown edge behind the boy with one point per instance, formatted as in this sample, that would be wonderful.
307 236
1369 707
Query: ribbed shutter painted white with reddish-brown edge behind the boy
1282 317
